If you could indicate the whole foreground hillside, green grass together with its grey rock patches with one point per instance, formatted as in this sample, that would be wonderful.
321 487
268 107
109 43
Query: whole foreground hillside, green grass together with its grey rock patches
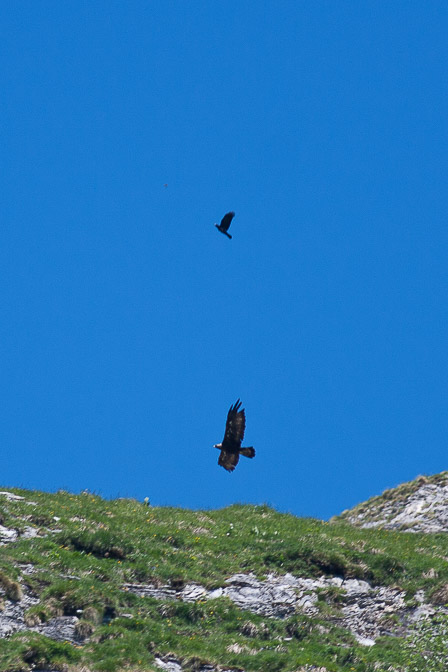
91 584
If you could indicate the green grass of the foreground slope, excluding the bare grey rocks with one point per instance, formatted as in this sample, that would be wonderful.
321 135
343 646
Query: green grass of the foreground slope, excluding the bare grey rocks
87 548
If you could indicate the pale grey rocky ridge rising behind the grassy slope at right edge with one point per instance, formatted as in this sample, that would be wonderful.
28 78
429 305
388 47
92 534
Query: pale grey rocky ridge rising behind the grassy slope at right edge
417 506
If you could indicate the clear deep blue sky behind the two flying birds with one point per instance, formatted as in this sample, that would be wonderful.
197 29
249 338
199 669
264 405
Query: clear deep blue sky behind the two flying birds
129 324
